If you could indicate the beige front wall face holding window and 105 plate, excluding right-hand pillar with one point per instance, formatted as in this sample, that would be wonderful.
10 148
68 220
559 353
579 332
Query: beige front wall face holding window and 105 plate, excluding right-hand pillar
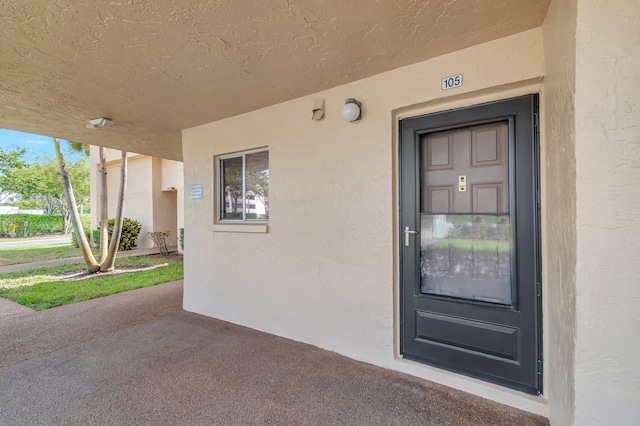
324 273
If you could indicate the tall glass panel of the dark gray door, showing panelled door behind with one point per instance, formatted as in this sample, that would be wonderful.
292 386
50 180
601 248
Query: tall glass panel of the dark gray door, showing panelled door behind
465 236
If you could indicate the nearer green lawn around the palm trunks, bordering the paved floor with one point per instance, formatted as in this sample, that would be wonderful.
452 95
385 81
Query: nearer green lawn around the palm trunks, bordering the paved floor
45 288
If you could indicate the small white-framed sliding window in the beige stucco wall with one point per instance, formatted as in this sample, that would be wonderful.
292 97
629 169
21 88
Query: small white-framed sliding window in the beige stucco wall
244 186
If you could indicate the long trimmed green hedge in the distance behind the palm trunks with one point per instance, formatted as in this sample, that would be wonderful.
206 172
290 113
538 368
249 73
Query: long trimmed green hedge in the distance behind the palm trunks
37 224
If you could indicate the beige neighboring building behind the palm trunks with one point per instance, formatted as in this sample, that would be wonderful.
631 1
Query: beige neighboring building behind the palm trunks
154 193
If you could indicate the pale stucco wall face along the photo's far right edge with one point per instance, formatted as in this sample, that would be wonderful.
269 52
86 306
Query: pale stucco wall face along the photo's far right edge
608 200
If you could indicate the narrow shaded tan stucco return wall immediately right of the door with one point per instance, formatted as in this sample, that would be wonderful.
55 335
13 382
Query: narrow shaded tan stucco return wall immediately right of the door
558 169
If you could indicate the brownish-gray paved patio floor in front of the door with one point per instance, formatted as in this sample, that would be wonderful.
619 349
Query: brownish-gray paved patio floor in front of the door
136 358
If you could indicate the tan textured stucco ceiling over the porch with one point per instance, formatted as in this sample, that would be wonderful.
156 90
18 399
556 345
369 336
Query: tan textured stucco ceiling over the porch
158 66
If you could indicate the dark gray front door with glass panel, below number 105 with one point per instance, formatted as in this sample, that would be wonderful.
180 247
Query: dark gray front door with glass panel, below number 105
470 242
